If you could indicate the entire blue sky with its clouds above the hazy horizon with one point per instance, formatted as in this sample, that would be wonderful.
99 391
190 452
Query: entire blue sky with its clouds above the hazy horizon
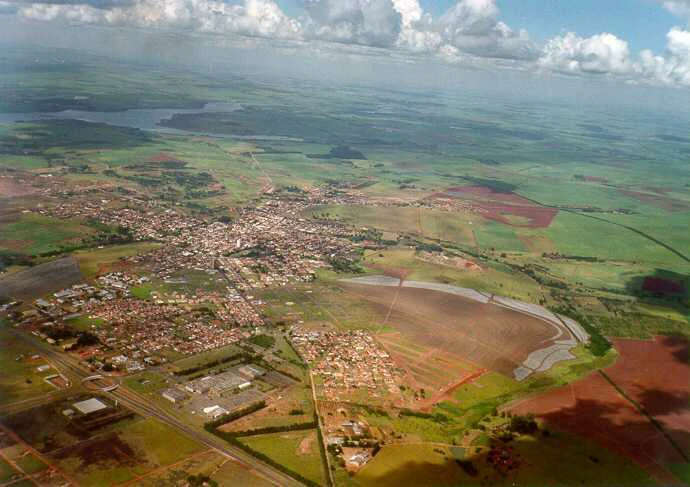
642 42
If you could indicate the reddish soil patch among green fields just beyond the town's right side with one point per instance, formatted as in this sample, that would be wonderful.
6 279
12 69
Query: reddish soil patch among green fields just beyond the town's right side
501 207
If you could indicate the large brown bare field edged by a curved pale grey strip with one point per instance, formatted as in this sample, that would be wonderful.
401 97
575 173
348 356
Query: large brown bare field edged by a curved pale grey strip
486 335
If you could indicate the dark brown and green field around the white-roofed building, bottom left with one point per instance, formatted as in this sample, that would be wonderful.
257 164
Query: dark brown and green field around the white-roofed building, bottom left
102 448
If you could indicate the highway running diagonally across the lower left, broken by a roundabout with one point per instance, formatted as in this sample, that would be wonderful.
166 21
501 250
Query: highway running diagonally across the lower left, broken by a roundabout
141 405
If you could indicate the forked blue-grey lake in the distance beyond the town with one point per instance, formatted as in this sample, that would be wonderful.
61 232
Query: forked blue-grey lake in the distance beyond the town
141 118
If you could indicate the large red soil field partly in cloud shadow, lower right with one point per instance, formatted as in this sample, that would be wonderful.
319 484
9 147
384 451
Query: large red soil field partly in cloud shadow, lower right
656 375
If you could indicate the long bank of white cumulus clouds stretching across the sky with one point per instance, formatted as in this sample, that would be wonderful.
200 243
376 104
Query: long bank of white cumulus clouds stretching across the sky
470 31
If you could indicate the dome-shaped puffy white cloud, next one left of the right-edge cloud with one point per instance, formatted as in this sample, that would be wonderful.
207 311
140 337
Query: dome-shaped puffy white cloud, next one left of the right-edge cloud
599 54
